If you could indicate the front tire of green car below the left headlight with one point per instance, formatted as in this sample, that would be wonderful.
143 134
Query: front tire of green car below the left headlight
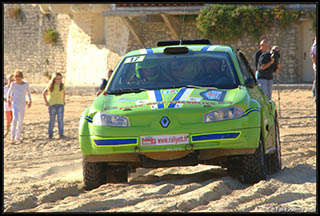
93 174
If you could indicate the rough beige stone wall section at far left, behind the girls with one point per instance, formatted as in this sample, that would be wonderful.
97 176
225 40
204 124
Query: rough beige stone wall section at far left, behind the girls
24 48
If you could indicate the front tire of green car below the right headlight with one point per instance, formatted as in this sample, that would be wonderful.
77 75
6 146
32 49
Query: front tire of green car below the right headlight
253 166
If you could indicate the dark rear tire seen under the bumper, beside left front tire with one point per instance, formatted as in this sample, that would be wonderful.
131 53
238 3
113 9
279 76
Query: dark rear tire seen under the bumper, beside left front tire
117 174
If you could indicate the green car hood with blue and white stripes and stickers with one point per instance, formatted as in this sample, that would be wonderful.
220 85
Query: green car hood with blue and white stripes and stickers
178 100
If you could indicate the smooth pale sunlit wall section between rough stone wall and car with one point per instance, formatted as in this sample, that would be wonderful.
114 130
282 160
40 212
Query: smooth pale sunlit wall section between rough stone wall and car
86 61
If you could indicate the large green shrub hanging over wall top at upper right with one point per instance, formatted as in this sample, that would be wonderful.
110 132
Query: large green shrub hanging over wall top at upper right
230 22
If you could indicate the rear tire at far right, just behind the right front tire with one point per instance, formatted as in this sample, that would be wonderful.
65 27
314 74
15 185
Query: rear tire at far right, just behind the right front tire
274 159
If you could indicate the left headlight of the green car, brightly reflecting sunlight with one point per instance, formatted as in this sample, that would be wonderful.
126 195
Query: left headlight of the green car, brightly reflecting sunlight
111 120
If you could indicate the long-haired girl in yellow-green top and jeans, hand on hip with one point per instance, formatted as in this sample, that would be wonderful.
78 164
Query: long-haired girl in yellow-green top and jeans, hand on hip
55 103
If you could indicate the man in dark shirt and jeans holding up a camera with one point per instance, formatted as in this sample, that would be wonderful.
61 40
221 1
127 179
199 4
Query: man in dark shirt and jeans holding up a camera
269 65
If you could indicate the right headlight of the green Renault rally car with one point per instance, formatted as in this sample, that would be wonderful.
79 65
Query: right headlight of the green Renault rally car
223 114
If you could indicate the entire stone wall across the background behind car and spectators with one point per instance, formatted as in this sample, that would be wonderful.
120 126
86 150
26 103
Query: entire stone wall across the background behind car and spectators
84 61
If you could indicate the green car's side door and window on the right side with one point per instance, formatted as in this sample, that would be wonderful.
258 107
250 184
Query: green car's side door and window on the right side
257 94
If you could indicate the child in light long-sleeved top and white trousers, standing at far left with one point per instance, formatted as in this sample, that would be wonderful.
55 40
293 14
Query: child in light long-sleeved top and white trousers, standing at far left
17 93
